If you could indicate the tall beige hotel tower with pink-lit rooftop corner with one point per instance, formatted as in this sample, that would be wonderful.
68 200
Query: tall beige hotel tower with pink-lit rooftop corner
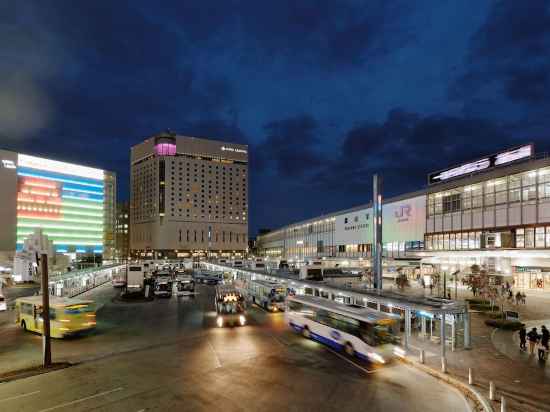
189 197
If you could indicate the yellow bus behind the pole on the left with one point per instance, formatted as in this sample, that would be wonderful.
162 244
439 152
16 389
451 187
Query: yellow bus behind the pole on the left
67 316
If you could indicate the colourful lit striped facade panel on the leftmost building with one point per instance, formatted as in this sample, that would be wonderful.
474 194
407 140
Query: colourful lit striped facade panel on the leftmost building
63 199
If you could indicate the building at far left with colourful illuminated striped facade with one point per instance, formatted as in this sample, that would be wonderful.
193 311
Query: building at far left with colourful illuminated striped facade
73 204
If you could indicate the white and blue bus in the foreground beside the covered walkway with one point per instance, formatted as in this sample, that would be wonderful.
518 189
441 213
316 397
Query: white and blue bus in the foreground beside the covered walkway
357 330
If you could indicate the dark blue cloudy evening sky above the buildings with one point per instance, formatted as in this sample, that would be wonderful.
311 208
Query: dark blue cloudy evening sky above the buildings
324 92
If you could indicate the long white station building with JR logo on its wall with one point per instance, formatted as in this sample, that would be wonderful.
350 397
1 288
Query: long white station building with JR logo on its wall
493 212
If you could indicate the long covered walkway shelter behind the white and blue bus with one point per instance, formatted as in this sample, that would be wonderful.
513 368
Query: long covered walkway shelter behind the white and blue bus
426 313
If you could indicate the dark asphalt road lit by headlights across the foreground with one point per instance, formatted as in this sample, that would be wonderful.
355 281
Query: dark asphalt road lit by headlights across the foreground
168 355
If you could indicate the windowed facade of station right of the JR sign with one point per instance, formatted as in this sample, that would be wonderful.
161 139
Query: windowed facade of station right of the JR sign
506 212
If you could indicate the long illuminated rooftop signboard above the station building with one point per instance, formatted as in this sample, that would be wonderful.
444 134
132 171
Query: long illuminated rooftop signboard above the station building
499 159
